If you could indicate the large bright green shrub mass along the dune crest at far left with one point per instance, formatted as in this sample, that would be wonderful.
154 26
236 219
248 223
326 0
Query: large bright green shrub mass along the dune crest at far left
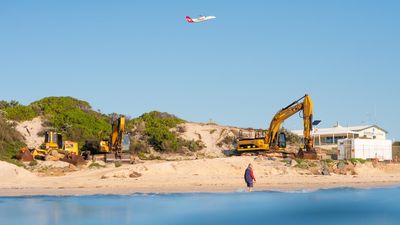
74 118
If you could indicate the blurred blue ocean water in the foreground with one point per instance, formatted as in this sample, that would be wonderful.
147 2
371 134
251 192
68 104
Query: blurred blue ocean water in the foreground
325 207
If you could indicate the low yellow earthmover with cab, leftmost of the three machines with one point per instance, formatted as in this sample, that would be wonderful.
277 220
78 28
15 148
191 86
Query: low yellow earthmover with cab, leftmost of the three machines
53 148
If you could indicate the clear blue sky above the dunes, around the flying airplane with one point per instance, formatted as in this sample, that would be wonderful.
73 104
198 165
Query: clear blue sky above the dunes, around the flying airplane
132 57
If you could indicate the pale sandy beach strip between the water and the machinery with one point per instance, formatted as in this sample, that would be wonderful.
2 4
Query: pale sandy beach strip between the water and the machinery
203 175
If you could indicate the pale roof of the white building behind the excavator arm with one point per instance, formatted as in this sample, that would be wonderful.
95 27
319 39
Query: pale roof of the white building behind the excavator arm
337 130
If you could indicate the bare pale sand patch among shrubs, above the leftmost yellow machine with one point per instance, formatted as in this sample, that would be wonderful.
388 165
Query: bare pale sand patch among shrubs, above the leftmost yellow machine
30 130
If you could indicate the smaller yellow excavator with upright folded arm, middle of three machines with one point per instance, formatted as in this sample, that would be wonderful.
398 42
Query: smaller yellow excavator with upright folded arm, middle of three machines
116 147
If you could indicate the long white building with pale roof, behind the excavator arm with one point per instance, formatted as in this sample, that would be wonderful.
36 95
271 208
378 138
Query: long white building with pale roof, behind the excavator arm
328 137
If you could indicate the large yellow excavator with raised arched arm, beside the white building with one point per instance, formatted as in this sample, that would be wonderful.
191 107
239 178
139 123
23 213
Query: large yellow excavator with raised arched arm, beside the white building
274 142
